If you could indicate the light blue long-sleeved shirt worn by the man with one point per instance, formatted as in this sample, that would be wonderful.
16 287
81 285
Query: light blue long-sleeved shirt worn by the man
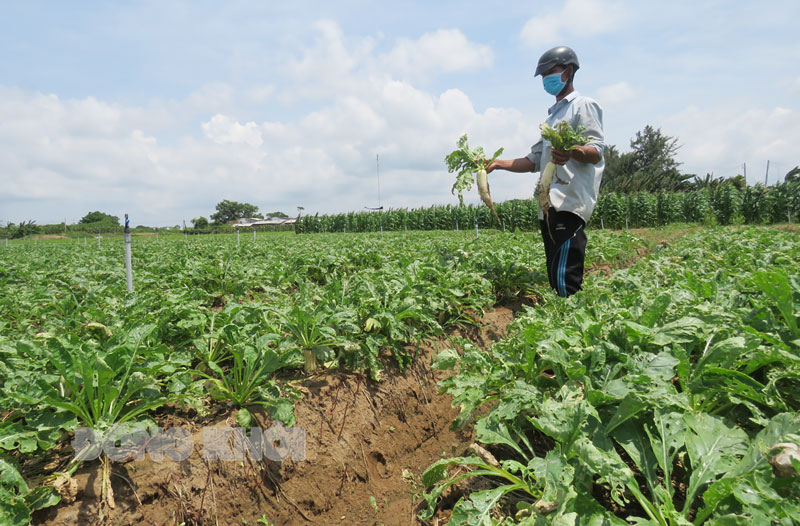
575 185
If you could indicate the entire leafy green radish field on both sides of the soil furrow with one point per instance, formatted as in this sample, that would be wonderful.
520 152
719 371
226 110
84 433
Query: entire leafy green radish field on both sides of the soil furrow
666 392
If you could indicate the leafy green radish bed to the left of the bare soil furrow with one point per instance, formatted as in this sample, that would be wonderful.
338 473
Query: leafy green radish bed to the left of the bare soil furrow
213 322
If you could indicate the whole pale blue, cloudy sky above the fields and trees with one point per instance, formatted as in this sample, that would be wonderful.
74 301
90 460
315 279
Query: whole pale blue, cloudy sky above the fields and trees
161 109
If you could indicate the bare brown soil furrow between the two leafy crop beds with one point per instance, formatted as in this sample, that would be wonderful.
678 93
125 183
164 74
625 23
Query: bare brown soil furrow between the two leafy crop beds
364 440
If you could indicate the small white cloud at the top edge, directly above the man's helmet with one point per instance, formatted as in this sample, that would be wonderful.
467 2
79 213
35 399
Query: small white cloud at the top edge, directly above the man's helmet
584 18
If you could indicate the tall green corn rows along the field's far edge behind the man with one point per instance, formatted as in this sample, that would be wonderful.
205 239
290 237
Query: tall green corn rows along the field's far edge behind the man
724 205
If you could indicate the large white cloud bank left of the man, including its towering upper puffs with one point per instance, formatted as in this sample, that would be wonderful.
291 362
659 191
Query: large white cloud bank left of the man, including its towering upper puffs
163 161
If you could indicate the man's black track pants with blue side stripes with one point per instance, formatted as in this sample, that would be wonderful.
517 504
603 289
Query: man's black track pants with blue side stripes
565 251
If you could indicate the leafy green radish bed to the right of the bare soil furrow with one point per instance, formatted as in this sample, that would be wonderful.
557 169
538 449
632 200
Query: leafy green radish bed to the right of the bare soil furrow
660 395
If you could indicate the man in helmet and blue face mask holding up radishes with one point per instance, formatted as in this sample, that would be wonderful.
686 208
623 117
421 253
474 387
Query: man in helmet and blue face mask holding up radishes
574 188
